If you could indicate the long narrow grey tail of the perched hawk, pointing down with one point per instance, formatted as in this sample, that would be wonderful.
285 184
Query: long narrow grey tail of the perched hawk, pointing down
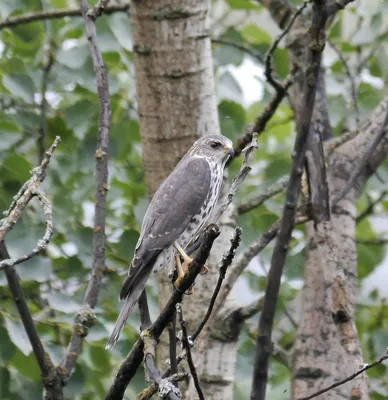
135 286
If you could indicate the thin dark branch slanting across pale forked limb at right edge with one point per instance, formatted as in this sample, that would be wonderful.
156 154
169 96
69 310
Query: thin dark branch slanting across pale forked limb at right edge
359 169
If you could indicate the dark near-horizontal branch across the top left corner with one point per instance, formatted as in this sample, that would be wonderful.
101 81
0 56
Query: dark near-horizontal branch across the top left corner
55 14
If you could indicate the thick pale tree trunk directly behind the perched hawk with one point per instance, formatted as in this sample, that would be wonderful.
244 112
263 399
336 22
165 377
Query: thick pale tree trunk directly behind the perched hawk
177 104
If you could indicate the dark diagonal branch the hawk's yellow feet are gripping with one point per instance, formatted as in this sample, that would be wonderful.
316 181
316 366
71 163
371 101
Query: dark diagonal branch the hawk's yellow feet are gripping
131 363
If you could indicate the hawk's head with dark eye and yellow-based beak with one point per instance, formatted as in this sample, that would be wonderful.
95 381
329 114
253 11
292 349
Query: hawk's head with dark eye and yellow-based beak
216 147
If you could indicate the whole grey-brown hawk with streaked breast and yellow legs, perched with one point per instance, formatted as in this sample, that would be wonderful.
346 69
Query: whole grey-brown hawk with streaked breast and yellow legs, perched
179 211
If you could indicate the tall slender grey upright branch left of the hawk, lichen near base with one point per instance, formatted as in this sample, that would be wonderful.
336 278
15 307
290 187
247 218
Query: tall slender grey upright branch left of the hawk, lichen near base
85 318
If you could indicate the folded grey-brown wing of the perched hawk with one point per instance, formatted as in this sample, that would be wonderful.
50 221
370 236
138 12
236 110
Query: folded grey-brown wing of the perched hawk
177 200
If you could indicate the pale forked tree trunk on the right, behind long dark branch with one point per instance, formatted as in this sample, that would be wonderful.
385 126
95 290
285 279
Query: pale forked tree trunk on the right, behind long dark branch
327 347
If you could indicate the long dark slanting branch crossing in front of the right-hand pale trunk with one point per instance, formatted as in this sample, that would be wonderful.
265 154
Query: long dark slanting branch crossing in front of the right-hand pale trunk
263 340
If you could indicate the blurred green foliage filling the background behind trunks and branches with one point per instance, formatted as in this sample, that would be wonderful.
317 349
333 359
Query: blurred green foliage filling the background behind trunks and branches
55 282
